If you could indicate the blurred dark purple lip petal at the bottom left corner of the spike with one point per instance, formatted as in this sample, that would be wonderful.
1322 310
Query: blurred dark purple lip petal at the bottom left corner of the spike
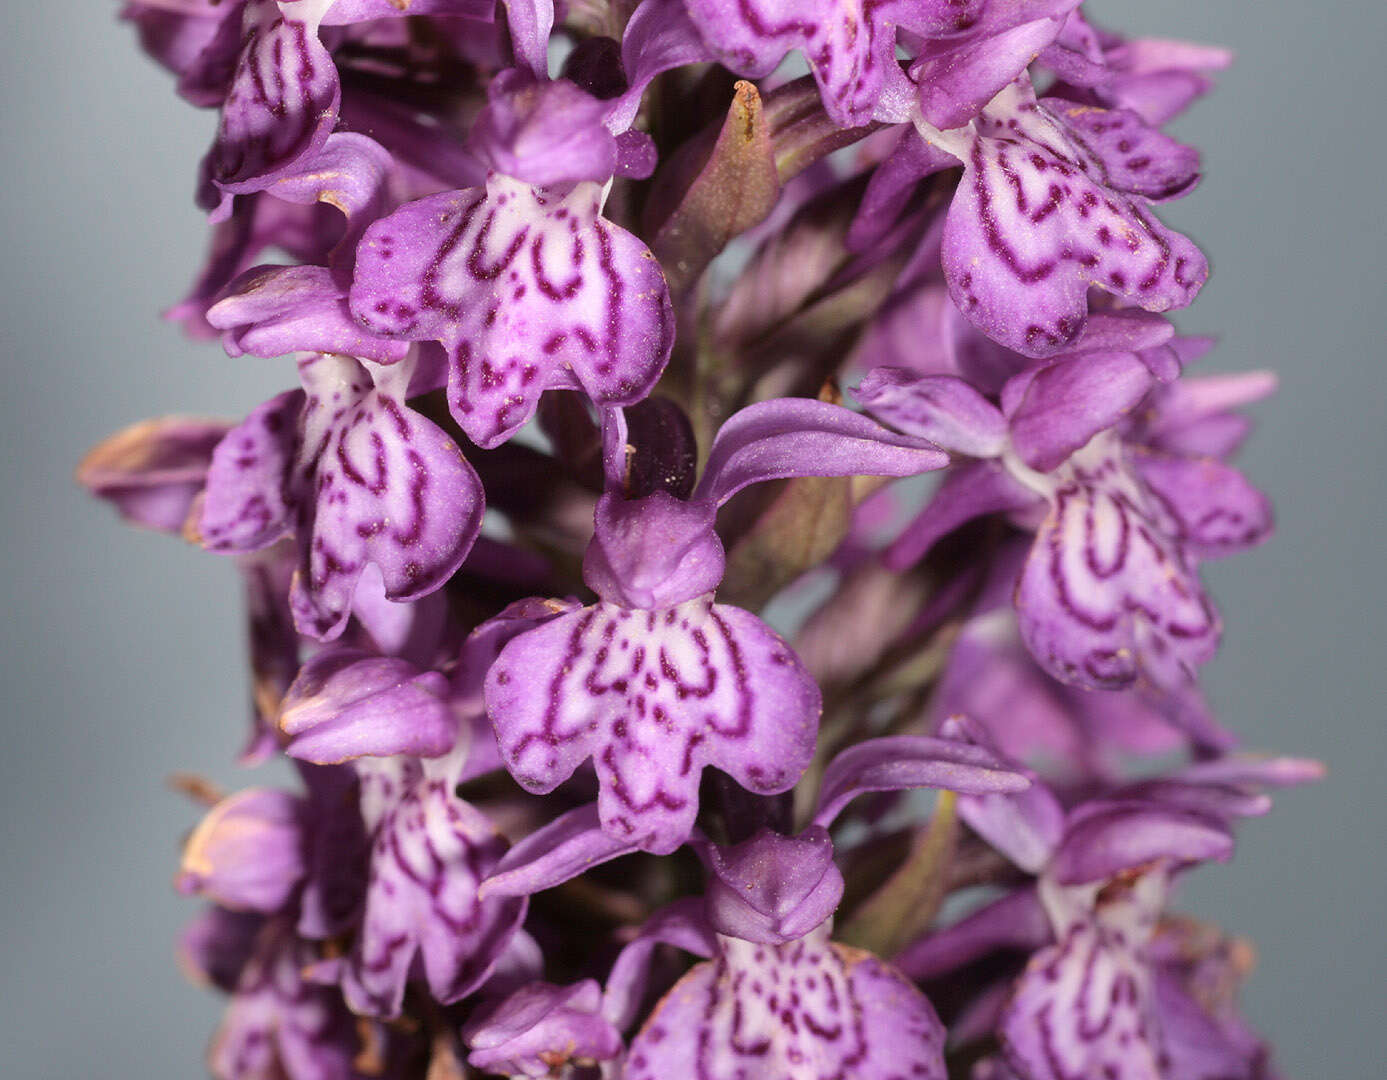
278 1024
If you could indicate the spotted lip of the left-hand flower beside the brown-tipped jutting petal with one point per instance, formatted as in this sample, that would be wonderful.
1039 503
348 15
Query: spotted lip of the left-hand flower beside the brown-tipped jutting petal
357 478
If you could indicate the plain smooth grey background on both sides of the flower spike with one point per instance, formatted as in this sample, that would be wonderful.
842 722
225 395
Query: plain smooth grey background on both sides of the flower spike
123 652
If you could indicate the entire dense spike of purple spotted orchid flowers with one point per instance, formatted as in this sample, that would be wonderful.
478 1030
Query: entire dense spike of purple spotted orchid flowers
571 292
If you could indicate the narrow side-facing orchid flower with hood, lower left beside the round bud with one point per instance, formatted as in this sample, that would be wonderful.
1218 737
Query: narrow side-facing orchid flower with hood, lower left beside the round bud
429 849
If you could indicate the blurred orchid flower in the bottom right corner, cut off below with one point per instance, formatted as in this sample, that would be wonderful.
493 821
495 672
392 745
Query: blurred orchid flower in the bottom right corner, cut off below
1087 1003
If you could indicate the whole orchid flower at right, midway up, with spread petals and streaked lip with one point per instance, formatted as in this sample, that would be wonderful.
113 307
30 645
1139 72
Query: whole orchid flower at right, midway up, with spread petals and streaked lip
1109 594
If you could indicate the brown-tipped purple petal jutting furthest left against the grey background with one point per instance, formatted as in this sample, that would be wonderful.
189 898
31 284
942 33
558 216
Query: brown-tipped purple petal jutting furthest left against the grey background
152 472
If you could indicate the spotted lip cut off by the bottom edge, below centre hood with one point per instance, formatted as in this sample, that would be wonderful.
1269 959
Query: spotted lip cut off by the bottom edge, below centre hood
807 1009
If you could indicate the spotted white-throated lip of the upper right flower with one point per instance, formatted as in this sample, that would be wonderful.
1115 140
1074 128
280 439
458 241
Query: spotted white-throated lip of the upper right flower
1040 220
